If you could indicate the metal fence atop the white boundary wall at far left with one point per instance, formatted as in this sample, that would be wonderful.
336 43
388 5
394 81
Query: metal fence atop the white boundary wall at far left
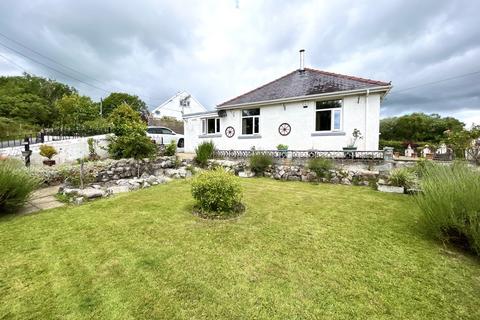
51 134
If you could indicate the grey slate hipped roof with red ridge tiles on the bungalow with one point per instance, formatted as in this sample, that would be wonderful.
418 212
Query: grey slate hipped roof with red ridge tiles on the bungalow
303 83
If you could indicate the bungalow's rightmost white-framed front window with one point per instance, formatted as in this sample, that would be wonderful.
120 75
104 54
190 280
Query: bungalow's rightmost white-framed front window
328 115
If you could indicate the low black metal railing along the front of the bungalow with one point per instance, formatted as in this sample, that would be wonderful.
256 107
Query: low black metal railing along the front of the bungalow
303 154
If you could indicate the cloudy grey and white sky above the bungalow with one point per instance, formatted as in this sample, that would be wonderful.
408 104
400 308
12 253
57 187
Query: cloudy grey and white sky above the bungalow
220 49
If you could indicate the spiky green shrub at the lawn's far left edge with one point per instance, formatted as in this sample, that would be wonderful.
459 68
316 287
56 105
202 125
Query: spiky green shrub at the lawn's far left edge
16 185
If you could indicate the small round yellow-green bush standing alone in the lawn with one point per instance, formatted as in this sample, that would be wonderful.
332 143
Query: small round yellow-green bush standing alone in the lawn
218 194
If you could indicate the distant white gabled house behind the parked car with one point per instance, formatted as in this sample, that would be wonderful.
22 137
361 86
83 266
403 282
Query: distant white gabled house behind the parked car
177 106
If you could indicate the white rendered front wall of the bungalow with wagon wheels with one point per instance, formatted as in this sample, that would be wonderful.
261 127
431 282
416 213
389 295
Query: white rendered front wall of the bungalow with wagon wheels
355 115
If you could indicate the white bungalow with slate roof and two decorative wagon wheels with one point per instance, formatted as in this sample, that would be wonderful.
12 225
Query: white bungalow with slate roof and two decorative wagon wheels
305 109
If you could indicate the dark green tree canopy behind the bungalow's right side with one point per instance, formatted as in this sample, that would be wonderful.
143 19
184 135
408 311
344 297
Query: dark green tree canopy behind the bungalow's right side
418 127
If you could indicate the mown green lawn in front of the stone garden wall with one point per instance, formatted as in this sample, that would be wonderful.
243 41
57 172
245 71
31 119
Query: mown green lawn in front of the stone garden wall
300 251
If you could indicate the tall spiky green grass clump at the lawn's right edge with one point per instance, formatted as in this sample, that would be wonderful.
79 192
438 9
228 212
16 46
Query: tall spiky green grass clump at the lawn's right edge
450 204
